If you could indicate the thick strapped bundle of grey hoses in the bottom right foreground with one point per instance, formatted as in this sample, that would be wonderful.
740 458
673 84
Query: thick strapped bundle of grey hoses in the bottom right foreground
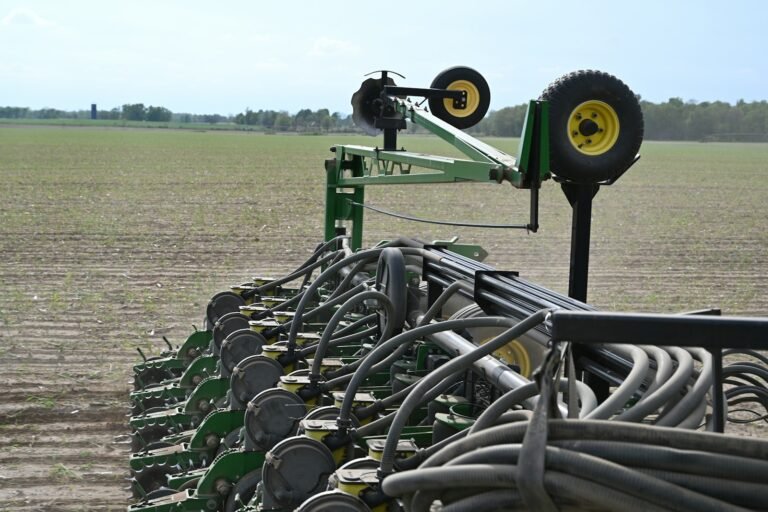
593 465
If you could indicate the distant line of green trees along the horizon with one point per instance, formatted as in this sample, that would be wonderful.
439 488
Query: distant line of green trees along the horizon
674 119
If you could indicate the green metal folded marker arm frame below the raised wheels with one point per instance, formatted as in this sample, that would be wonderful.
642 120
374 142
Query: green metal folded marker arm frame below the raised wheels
355 167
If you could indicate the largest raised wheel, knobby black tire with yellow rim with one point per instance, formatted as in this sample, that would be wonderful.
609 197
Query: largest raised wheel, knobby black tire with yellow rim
571 157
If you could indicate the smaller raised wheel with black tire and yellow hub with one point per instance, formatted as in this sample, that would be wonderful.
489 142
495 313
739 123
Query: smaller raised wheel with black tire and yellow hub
478 100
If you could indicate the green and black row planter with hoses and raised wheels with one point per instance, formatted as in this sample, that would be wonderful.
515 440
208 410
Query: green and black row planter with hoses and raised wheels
412 376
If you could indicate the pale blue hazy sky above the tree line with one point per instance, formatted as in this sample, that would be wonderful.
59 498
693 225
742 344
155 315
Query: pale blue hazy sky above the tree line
226 56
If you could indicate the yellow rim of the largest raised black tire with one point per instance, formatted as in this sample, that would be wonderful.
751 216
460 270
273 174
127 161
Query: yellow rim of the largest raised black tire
593 127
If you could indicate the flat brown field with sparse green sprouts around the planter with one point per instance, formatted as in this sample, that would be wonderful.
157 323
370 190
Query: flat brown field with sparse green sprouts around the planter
111 239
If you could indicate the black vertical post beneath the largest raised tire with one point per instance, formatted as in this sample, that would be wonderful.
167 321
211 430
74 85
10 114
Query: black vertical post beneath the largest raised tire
580 196
